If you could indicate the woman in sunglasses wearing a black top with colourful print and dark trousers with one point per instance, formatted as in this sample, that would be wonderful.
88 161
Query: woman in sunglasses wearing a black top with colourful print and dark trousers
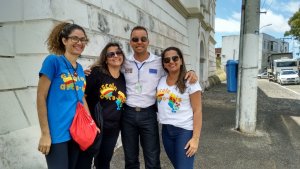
106 84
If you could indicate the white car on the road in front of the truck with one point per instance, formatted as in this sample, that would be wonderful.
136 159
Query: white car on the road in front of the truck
288 77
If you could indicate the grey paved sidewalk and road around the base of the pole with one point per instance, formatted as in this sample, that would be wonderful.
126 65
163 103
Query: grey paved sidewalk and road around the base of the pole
275 145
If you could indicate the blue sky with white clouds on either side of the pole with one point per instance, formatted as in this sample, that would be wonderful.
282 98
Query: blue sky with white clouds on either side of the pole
228 14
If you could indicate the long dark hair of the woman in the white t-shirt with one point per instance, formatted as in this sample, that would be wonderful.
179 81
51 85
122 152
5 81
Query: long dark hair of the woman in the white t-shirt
180 83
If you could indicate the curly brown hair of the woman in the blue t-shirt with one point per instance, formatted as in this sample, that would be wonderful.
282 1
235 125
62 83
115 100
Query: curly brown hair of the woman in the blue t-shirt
61 30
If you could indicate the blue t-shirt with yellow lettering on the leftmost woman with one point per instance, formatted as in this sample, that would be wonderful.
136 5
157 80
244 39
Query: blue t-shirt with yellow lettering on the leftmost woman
62 99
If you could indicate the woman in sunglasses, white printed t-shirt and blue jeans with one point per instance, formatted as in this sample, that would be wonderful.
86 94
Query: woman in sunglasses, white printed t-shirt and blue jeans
179 111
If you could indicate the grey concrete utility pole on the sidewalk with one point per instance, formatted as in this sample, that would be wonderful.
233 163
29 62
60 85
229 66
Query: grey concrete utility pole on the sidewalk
246 108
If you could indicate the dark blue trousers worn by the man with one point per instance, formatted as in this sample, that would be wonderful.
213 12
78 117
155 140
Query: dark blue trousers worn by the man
140 125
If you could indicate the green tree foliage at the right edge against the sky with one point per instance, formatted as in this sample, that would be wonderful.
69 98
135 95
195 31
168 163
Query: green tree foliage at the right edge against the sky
294 23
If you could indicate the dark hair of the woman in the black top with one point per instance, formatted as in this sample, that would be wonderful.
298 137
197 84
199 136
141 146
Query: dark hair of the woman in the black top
101 61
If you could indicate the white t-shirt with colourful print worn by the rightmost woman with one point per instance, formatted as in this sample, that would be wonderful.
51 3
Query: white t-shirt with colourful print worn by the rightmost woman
173 107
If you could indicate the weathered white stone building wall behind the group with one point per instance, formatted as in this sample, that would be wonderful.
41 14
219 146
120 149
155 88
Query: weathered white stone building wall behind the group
25 26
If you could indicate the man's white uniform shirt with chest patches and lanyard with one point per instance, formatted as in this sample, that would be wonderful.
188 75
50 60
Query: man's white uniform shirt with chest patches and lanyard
141 80
